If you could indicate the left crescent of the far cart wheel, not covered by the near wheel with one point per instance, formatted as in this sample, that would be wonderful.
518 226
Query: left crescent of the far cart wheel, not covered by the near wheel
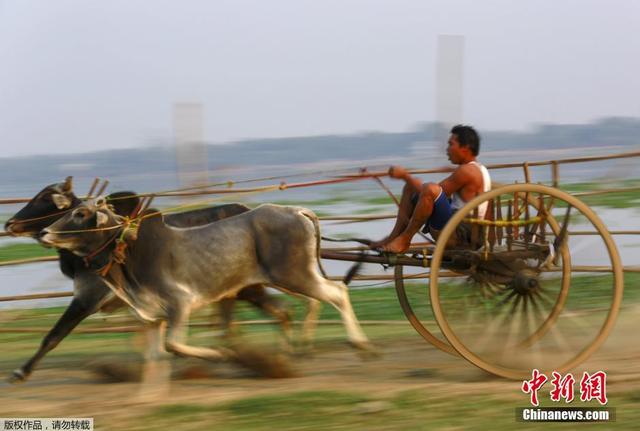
424 308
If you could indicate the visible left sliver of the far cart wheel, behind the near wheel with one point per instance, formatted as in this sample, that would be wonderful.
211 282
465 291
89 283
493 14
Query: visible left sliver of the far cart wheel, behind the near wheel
414 300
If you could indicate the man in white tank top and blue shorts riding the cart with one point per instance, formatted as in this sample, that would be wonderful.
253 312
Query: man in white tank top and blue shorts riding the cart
432 205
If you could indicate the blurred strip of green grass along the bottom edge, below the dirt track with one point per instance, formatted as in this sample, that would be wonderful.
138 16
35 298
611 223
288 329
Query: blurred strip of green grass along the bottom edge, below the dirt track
407 410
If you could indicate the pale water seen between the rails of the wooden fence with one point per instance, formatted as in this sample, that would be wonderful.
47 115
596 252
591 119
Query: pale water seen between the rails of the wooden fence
45 277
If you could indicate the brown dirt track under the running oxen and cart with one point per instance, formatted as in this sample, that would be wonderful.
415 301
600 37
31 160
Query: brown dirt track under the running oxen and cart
407 363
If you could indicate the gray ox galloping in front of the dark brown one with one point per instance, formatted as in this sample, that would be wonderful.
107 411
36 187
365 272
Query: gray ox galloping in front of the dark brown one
167 271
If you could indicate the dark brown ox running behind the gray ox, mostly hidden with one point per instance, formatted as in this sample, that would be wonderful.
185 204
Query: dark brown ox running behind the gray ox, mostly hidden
91 294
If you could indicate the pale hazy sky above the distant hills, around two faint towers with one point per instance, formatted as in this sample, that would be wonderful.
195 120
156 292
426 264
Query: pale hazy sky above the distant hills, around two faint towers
85 75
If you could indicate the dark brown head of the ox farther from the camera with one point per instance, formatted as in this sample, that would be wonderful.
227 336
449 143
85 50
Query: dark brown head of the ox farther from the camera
47 206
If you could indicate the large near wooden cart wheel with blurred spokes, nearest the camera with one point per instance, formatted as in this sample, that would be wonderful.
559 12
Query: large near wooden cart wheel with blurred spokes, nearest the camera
540 285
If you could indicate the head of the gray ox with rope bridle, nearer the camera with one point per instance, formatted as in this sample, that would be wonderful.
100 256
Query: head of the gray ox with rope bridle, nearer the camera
84 229
